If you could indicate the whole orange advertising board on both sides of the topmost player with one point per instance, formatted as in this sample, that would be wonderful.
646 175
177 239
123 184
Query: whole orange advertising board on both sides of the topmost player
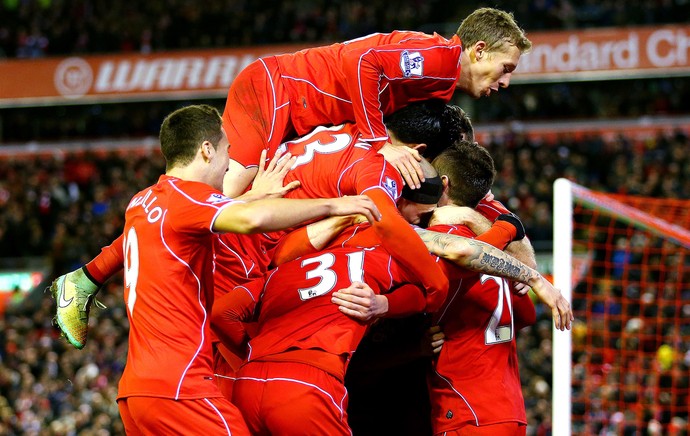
556 56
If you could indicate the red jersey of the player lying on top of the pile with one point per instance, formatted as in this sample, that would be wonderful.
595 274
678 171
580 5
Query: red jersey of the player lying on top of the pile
363 79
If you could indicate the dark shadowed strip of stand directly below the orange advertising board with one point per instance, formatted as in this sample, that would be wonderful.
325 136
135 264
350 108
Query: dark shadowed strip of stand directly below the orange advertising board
624 99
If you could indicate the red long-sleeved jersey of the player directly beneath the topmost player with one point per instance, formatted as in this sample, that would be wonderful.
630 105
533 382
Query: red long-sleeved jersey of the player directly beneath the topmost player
332 162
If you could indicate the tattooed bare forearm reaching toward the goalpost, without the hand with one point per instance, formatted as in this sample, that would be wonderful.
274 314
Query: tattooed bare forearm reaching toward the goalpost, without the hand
476 256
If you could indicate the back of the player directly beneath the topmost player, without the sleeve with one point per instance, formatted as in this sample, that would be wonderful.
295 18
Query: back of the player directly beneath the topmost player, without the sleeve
331 162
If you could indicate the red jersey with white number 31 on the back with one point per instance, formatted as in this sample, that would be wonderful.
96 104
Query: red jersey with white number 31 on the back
295 300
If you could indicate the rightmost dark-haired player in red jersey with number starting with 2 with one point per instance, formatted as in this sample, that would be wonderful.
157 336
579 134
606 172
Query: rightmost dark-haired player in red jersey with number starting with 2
474 384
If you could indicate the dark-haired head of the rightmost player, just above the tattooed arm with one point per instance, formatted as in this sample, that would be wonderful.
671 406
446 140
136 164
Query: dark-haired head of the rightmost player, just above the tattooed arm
467 172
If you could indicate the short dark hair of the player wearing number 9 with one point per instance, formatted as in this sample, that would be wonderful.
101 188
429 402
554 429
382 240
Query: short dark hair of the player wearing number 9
185 129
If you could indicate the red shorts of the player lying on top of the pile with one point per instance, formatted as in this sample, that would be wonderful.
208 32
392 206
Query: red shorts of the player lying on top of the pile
257 112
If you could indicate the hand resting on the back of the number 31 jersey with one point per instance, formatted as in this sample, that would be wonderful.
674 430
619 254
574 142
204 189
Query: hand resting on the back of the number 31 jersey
360 302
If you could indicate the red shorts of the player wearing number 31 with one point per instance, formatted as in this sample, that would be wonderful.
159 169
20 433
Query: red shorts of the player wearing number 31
291 398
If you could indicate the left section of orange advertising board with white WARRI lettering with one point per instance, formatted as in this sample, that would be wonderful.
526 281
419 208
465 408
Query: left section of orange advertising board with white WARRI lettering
165 75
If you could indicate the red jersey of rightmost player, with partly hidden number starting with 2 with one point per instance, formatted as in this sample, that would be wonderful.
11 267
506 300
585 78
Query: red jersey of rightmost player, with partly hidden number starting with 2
475 378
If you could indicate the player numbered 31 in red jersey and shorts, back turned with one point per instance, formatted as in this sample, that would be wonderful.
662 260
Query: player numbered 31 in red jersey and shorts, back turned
292 380
